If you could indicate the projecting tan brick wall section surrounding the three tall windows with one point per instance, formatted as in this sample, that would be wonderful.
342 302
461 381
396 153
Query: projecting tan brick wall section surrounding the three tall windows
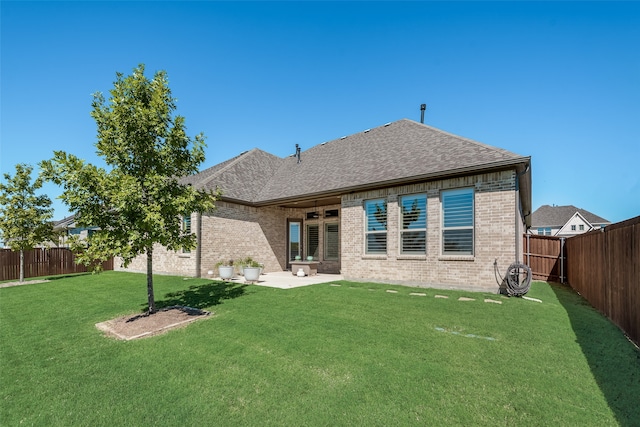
494 229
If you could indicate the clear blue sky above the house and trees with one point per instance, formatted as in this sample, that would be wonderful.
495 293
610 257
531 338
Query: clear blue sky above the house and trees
557 81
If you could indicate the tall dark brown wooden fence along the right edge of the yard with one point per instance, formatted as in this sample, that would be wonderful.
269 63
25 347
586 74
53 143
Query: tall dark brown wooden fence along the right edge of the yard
604 267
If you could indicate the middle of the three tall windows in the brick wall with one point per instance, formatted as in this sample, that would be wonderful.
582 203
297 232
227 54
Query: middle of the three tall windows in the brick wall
413 217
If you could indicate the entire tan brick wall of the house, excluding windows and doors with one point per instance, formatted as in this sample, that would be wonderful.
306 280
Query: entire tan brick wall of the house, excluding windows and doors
235 231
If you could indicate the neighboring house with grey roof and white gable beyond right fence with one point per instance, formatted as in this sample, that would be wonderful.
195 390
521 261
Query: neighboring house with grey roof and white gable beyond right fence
564 221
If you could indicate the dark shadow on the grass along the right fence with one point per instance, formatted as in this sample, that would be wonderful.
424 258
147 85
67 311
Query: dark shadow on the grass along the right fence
614 361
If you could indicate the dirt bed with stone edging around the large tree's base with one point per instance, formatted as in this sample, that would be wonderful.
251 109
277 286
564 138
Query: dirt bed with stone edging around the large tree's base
133 326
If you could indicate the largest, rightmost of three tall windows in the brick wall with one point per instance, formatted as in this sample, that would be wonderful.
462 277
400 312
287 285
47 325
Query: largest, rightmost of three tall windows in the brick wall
457 222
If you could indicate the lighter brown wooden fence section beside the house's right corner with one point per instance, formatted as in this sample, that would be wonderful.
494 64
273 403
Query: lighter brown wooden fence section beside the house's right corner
546 256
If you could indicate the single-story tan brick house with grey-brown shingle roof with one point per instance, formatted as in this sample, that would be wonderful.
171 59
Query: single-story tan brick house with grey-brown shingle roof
403 203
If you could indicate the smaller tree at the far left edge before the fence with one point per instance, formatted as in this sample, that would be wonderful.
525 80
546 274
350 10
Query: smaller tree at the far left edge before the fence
25 218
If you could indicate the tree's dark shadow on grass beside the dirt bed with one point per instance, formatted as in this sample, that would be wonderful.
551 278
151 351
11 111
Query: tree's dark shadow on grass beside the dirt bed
202 296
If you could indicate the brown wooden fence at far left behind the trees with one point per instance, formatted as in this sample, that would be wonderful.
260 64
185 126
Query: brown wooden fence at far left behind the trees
41 262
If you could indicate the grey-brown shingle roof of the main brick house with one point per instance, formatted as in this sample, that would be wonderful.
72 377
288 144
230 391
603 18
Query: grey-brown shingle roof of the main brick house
396 152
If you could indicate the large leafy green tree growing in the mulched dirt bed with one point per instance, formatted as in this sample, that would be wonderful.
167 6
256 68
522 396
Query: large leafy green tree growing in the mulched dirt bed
138 201
